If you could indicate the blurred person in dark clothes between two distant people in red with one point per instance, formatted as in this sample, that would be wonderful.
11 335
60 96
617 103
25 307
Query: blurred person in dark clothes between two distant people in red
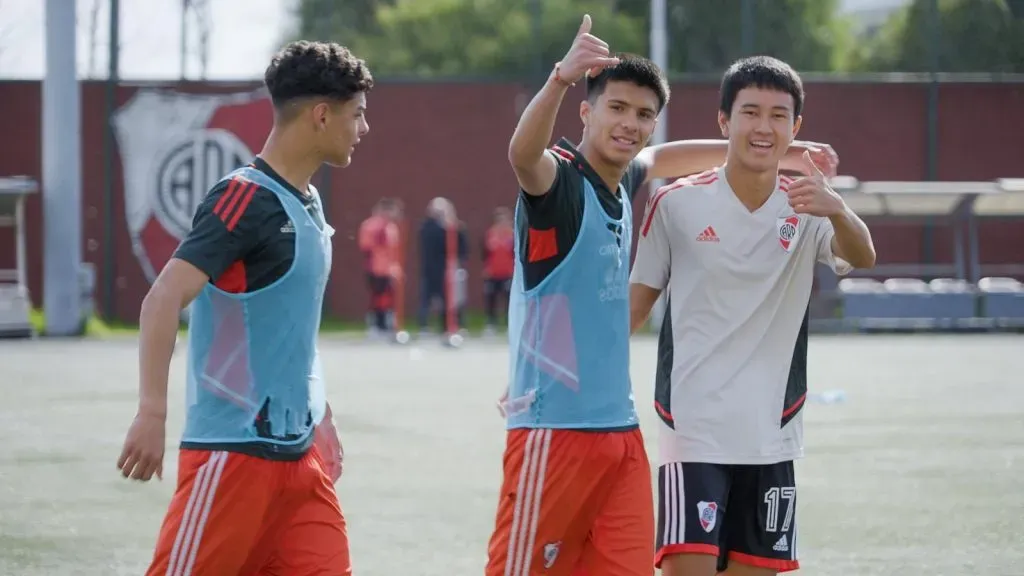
438 261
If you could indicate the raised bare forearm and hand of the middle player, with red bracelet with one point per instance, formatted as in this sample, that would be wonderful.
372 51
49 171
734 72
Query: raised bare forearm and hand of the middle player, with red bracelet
536 169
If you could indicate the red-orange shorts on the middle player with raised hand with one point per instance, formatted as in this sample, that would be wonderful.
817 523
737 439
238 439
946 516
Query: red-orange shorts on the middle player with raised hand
574 503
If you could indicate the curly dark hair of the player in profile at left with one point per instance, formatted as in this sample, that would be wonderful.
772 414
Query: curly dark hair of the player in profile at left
305 69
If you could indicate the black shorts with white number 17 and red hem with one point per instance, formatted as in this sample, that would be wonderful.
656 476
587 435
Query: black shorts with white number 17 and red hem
740 513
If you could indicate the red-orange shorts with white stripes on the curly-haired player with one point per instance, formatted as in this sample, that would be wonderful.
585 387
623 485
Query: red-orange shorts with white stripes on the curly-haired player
234 514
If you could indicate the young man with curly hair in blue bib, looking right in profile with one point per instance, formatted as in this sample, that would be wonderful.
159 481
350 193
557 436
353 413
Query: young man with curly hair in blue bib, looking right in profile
260 454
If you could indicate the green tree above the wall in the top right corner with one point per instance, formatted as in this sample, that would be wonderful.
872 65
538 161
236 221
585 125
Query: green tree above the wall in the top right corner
972 36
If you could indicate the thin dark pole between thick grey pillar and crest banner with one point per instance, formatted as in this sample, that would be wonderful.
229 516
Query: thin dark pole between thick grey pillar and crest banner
110 98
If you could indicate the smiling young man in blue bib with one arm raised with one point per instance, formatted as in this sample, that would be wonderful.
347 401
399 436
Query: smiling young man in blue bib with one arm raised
577 491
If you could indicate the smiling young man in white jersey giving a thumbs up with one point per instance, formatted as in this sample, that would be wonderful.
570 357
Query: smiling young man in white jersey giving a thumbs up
737 250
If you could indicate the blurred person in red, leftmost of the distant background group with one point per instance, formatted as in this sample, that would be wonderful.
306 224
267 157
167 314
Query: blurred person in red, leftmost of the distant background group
378 243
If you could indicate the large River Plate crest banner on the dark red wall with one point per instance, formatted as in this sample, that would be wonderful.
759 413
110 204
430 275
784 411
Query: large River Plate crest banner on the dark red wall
175 147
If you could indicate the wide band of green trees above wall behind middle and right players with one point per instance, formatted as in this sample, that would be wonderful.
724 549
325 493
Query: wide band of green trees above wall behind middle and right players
505 38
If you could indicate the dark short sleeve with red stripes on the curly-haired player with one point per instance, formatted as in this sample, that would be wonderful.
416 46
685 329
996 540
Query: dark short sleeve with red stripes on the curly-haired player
227 227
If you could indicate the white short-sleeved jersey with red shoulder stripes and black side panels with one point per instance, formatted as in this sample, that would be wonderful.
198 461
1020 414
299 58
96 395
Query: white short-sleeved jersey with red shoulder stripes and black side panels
733 354
